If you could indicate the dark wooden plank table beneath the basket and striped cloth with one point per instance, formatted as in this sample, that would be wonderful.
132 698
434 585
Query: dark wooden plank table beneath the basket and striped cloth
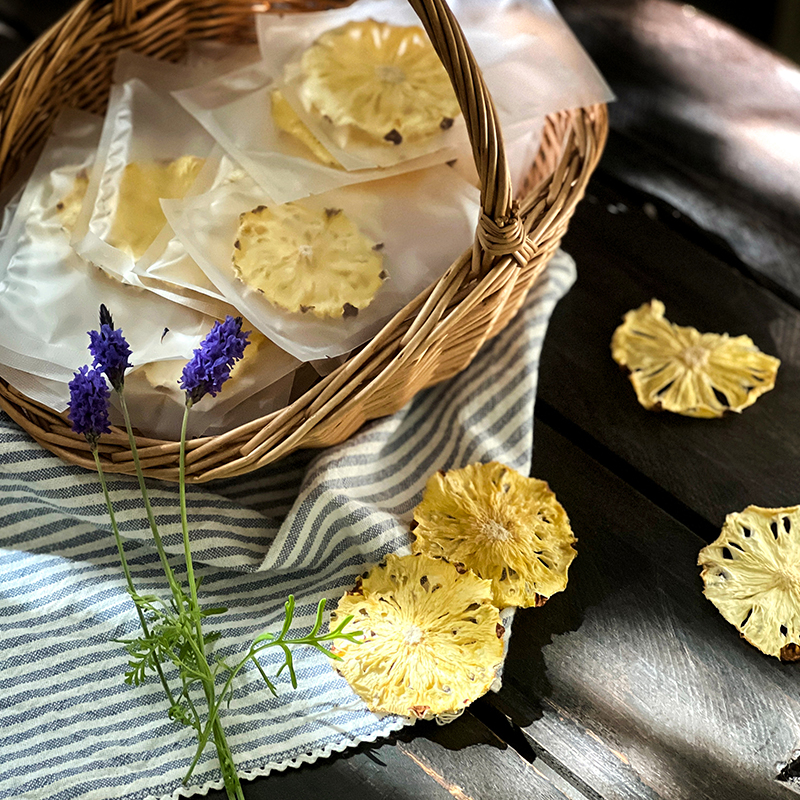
630 684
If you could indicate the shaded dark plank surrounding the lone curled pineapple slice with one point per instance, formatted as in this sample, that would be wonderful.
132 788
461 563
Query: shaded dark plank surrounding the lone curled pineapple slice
712 467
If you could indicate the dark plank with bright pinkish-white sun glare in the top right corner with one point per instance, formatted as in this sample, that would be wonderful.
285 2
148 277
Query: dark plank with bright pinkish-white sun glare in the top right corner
706 119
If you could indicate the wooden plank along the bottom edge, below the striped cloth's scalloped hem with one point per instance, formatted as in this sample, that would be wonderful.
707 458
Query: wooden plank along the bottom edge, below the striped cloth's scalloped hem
464 760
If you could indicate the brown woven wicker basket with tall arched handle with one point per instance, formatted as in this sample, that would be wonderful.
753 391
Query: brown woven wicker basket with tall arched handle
431 339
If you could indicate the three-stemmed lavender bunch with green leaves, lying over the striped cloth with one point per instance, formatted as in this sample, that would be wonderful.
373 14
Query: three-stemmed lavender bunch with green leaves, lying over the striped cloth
173 631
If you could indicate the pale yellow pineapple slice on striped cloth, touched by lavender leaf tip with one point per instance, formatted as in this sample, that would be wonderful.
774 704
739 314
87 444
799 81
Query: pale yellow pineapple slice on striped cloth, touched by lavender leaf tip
432 638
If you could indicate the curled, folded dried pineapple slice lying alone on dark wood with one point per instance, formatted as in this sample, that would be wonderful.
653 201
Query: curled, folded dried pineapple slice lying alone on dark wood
688 372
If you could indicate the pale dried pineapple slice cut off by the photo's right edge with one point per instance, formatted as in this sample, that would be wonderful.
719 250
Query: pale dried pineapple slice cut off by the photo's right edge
752 575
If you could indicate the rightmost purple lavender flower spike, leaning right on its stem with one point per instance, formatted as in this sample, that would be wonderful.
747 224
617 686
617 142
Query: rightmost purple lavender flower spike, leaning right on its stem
211 364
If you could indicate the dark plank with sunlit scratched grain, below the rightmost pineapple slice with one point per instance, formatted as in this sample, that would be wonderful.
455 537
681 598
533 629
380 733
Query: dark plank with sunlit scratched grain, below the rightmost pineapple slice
631 679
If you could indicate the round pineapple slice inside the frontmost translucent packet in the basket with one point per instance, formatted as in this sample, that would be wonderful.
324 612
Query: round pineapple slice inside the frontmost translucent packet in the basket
308 260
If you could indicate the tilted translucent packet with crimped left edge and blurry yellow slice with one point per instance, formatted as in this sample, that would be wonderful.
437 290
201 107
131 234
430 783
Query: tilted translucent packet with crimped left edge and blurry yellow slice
149 148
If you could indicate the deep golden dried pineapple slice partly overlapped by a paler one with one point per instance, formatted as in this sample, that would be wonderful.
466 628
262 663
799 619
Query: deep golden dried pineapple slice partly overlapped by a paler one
505 527
